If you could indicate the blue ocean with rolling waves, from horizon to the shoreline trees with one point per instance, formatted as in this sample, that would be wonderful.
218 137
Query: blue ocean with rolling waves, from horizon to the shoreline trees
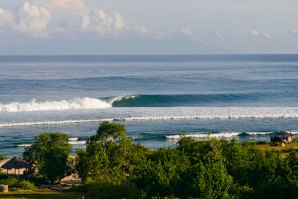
157 97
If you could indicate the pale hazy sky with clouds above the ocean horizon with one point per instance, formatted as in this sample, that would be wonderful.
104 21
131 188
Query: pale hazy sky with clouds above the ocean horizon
62 27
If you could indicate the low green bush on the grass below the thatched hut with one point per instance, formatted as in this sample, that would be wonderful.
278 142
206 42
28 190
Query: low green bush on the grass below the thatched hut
16 183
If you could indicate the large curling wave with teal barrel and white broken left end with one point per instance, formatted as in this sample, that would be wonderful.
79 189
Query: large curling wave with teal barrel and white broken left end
187 100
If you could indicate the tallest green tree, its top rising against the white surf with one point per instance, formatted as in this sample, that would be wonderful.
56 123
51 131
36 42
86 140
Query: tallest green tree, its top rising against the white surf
110 156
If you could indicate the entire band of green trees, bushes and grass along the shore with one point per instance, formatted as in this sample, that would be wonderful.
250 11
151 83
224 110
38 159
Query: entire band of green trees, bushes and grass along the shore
112 166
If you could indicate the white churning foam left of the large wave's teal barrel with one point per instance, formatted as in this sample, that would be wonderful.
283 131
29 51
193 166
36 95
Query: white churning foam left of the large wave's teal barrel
77 103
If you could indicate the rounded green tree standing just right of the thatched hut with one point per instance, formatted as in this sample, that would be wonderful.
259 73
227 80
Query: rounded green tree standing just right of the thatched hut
49 153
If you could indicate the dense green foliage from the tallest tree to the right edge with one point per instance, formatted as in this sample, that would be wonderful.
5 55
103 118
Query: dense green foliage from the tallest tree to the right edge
113 167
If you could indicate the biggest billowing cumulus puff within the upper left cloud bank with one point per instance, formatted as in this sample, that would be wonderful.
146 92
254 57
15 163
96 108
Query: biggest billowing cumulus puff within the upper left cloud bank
33 20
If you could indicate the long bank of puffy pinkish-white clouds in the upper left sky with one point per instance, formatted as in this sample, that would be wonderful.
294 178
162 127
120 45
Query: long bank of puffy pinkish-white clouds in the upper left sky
47 17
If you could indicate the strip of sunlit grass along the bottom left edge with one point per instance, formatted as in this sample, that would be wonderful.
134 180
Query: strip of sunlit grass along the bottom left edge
41 193
